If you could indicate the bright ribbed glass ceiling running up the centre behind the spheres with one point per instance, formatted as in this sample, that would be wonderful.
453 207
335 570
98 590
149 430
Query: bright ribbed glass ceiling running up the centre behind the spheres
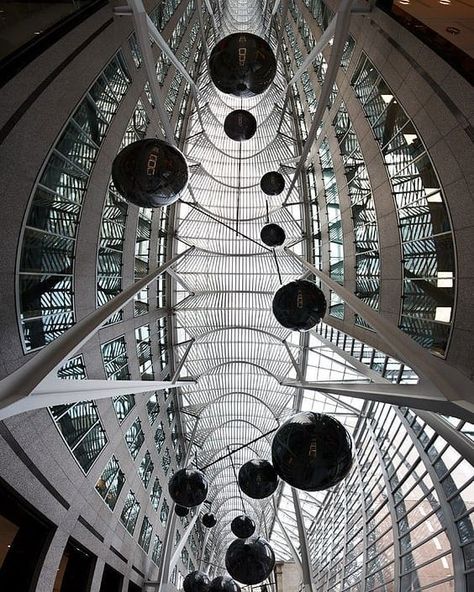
235 351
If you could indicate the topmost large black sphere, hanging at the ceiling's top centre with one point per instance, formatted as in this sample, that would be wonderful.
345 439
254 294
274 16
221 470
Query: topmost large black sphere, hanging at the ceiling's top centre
242 64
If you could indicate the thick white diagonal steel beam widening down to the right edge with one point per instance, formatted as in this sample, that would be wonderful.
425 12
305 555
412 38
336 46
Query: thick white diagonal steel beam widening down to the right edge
442 379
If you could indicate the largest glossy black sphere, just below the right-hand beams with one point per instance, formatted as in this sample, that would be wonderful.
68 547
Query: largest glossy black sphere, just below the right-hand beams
312 451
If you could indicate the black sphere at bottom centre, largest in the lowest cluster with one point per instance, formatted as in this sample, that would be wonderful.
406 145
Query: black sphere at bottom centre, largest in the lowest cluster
250 562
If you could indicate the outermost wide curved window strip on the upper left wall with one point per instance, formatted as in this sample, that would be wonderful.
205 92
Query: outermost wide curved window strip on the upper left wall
48 249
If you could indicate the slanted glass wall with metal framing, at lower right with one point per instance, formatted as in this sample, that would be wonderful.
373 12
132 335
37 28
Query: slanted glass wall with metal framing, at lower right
424 551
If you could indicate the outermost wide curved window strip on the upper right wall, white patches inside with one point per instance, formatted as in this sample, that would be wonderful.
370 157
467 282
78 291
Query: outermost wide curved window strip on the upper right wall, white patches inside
425 230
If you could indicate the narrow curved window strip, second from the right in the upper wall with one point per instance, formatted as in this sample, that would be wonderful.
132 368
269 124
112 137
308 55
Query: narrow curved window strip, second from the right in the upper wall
363 212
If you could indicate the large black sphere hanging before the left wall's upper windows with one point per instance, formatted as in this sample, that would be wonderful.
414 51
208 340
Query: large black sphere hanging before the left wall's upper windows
150 173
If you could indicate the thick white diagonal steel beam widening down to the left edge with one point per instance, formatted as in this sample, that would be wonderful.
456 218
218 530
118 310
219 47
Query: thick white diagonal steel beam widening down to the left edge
45 363
